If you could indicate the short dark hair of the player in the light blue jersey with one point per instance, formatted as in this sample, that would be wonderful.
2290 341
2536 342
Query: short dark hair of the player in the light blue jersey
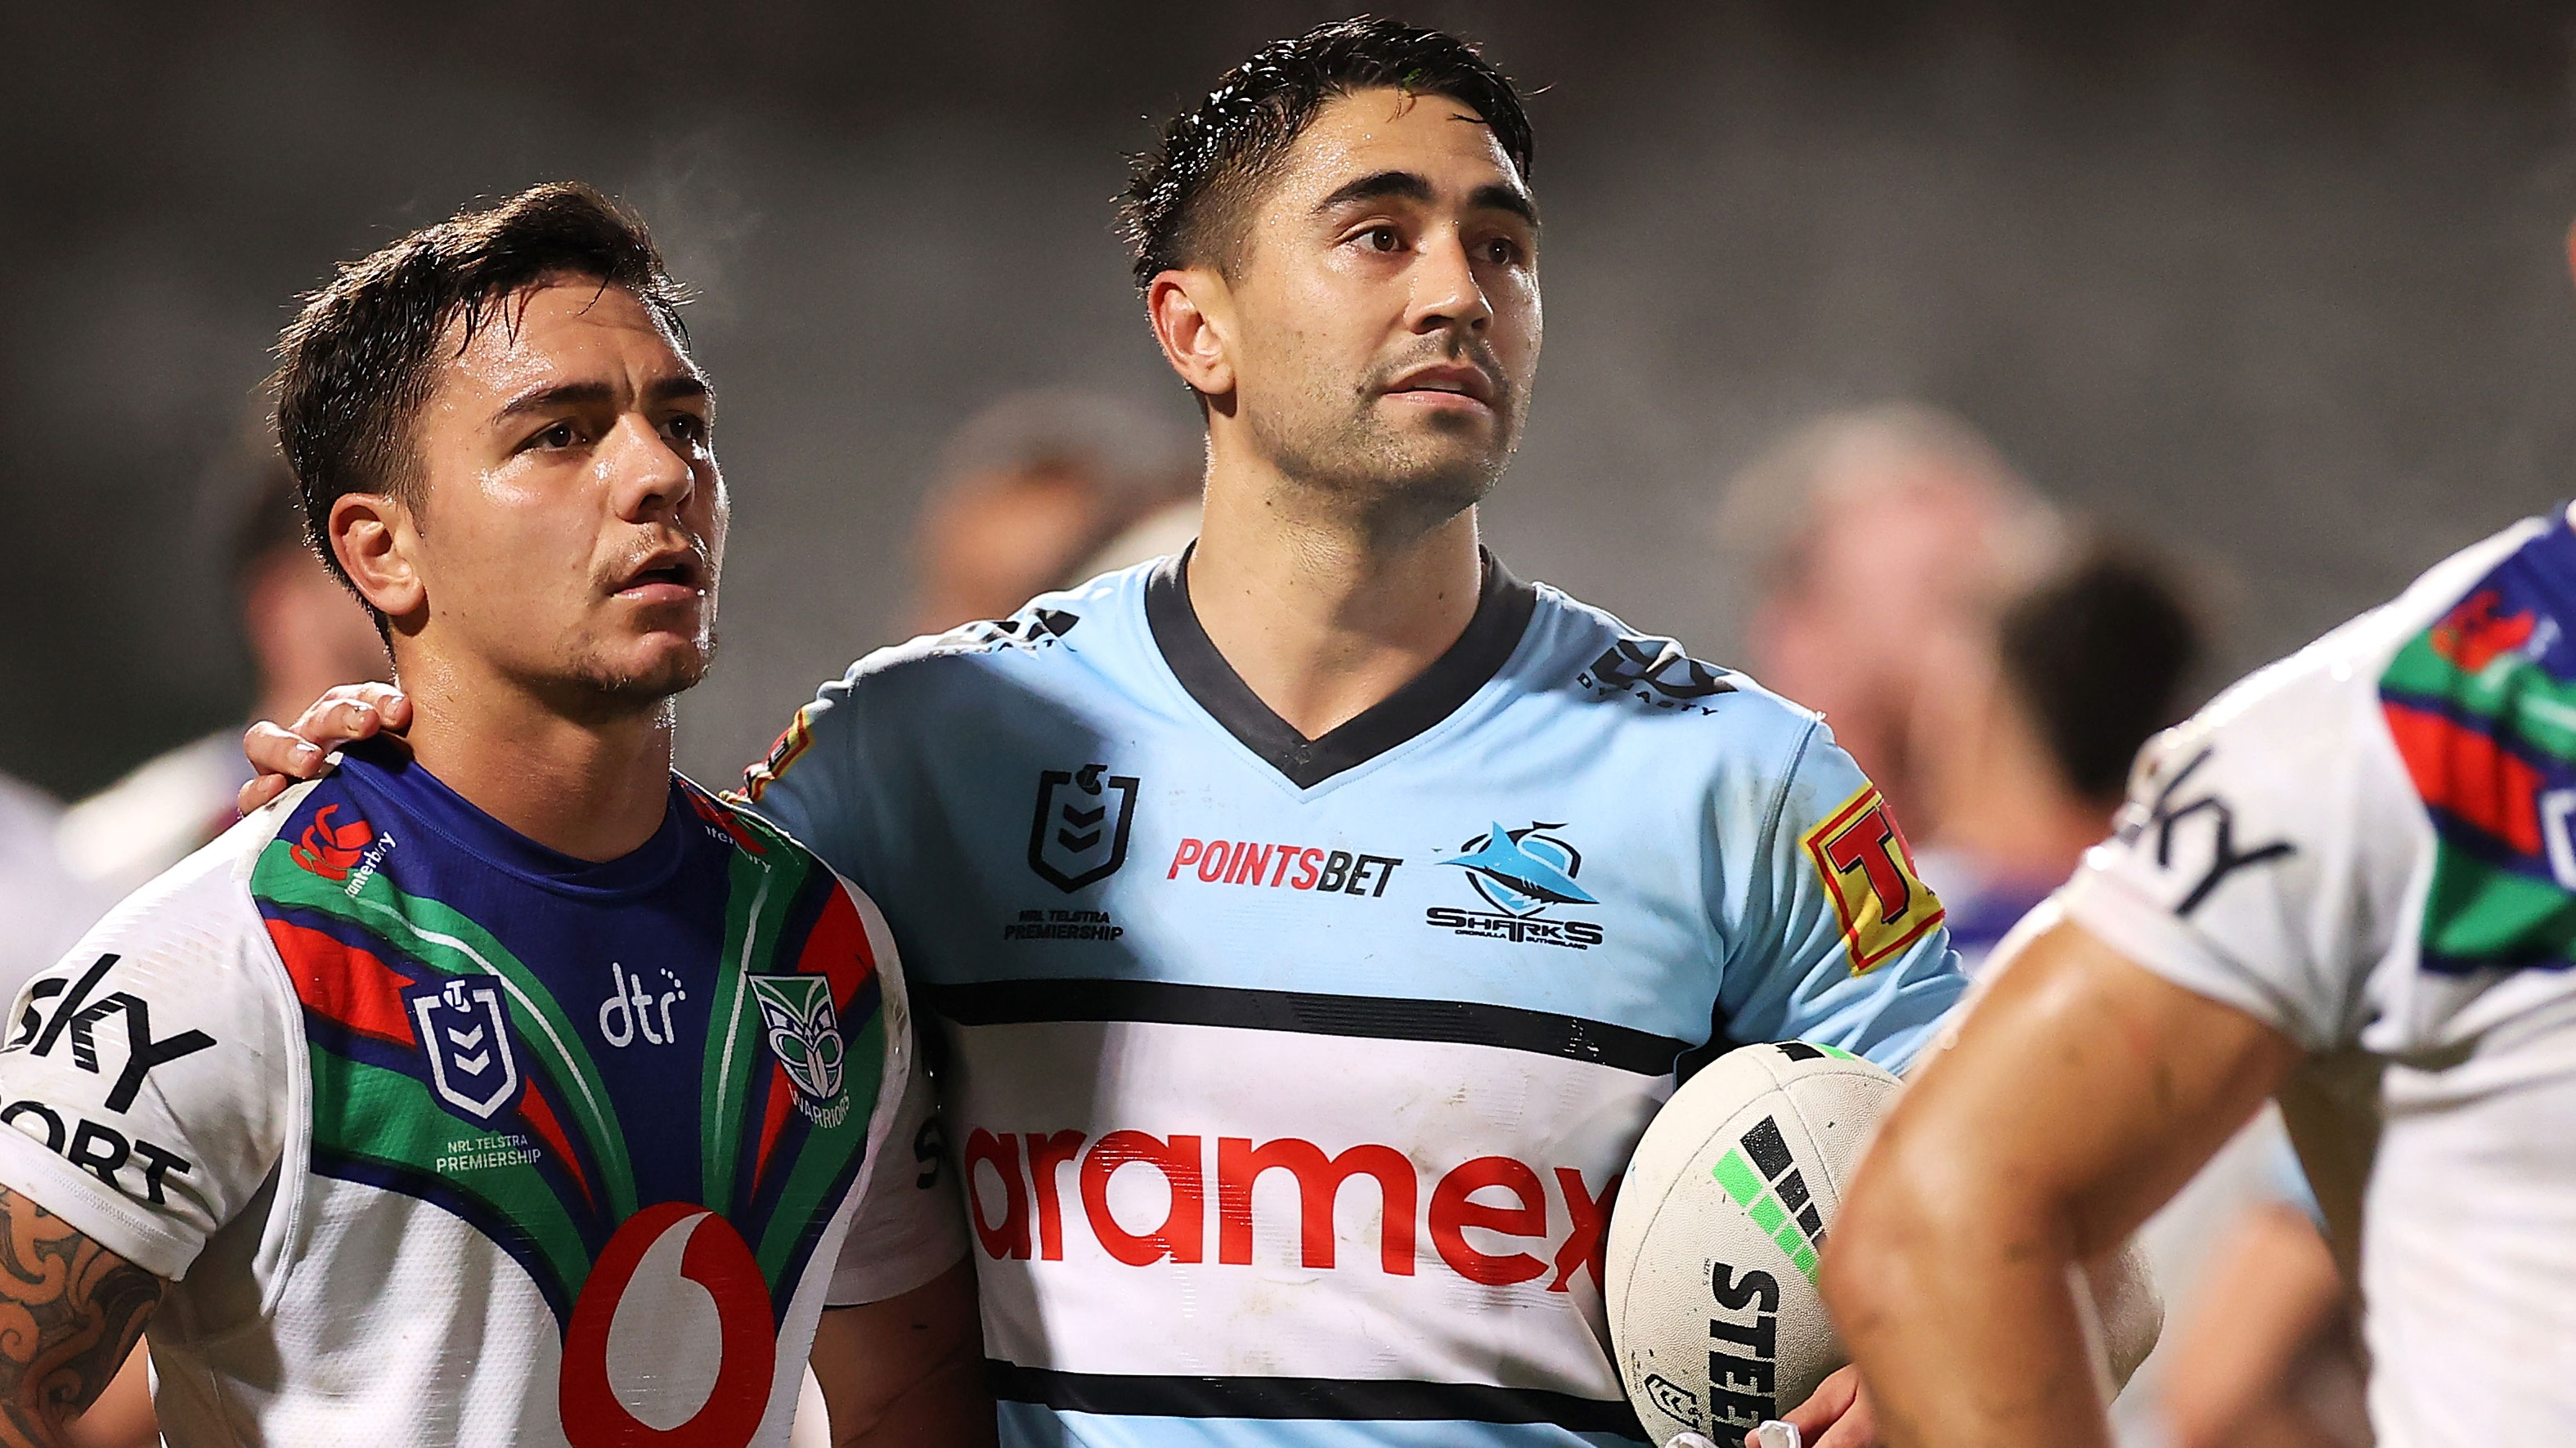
1215 153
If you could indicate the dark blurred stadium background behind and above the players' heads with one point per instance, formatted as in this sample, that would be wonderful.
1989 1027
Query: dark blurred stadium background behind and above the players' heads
2276 285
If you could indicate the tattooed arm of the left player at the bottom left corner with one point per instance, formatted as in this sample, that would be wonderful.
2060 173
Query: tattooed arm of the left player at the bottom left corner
68 1315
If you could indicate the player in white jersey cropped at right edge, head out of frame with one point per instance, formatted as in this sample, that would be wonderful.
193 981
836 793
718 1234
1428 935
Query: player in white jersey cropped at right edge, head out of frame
2351 882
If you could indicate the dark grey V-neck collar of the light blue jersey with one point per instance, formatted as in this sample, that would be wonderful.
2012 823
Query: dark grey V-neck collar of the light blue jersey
1503 617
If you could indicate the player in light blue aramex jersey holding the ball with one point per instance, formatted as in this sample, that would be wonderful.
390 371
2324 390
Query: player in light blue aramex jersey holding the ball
1315 921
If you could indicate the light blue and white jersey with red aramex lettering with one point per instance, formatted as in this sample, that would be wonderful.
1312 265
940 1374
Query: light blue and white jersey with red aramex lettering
1292 1078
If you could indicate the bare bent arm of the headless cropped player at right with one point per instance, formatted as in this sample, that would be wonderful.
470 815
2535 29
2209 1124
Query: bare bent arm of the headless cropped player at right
2080 1096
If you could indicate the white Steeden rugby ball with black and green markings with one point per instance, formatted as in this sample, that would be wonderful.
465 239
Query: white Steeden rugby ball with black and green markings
1712 1264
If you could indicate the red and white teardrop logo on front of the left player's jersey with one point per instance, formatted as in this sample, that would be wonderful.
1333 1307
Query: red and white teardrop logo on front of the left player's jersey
671 1341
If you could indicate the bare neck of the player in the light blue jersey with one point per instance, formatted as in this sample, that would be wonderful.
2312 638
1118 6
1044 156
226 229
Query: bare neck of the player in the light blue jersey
1325 617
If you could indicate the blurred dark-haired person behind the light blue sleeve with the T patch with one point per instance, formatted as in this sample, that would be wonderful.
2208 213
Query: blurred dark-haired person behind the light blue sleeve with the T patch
2026 748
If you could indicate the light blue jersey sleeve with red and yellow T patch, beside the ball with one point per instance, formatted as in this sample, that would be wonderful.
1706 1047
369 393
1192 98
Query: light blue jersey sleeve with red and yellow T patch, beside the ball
1841 942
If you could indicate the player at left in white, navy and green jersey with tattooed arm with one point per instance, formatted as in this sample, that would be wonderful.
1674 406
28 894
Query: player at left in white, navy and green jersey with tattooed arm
509 1089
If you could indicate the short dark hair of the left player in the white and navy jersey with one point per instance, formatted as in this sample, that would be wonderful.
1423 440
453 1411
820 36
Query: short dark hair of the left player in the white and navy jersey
357 365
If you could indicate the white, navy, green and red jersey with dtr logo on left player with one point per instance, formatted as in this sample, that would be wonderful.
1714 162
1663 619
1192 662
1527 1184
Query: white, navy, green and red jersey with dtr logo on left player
444 1138
